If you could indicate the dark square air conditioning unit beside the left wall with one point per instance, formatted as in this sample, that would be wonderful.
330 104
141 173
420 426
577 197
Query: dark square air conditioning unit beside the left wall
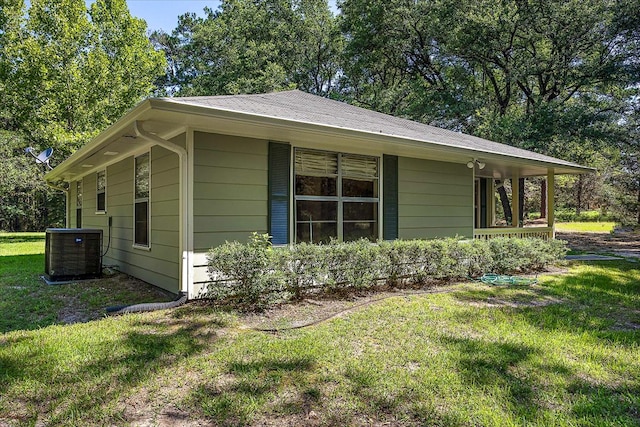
73 253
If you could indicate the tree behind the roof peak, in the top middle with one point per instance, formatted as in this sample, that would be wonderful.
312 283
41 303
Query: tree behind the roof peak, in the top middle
254 46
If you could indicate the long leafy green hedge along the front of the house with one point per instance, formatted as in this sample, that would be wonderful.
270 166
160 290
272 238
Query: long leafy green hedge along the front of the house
256 274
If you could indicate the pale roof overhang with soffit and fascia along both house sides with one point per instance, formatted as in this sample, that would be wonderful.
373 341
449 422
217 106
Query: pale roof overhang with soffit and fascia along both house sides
166 118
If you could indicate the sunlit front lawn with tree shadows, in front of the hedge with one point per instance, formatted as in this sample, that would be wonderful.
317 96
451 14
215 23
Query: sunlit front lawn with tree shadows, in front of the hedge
564 352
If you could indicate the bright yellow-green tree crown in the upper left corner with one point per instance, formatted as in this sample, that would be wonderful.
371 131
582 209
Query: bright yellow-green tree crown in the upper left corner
74 72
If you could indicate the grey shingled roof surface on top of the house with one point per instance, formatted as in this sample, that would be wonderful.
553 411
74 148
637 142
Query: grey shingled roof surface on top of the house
302 107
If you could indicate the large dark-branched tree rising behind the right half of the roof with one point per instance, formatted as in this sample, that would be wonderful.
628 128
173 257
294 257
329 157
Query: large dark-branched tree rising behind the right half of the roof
552 76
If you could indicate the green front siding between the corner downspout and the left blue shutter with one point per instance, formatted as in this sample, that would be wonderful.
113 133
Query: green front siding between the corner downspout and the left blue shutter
230 188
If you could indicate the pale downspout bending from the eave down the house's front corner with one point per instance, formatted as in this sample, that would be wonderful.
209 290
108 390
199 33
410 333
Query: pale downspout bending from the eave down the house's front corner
184 205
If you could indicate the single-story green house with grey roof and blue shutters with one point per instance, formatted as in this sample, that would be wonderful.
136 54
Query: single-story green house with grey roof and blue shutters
177 176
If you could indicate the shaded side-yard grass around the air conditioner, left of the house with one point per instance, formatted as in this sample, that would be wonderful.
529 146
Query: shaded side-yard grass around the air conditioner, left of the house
28 303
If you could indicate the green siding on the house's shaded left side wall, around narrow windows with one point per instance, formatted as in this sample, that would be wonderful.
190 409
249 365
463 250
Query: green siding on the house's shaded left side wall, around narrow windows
159 265
